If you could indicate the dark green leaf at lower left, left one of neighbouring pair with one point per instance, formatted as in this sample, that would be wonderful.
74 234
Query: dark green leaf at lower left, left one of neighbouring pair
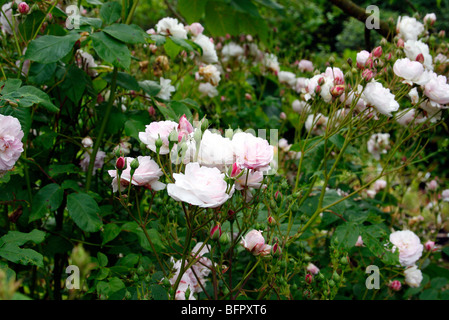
49 198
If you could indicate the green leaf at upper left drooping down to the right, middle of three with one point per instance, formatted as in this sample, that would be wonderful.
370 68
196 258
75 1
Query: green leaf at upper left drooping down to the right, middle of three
111 50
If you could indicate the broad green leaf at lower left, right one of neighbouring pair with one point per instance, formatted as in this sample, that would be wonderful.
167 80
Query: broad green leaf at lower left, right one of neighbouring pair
84 211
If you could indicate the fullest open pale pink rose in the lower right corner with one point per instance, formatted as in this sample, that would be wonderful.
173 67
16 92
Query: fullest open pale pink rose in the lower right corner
409 246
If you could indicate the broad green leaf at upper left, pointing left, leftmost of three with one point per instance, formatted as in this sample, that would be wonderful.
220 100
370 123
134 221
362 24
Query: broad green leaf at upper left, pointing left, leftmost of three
49 49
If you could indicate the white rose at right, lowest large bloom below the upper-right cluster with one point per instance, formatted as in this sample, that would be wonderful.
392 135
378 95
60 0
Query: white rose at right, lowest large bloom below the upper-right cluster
381 98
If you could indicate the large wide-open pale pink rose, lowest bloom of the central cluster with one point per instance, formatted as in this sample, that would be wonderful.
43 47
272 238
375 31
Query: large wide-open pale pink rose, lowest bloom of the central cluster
200 186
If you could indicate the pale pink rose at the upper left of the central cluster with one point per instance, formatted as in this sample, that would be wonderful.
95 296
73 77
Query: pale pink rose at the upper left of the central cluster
155 130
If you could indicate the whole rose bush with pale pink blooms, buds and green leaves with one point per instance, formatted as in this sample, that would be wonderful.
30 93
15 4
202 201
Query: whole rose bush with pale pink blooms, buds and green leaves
186 160
